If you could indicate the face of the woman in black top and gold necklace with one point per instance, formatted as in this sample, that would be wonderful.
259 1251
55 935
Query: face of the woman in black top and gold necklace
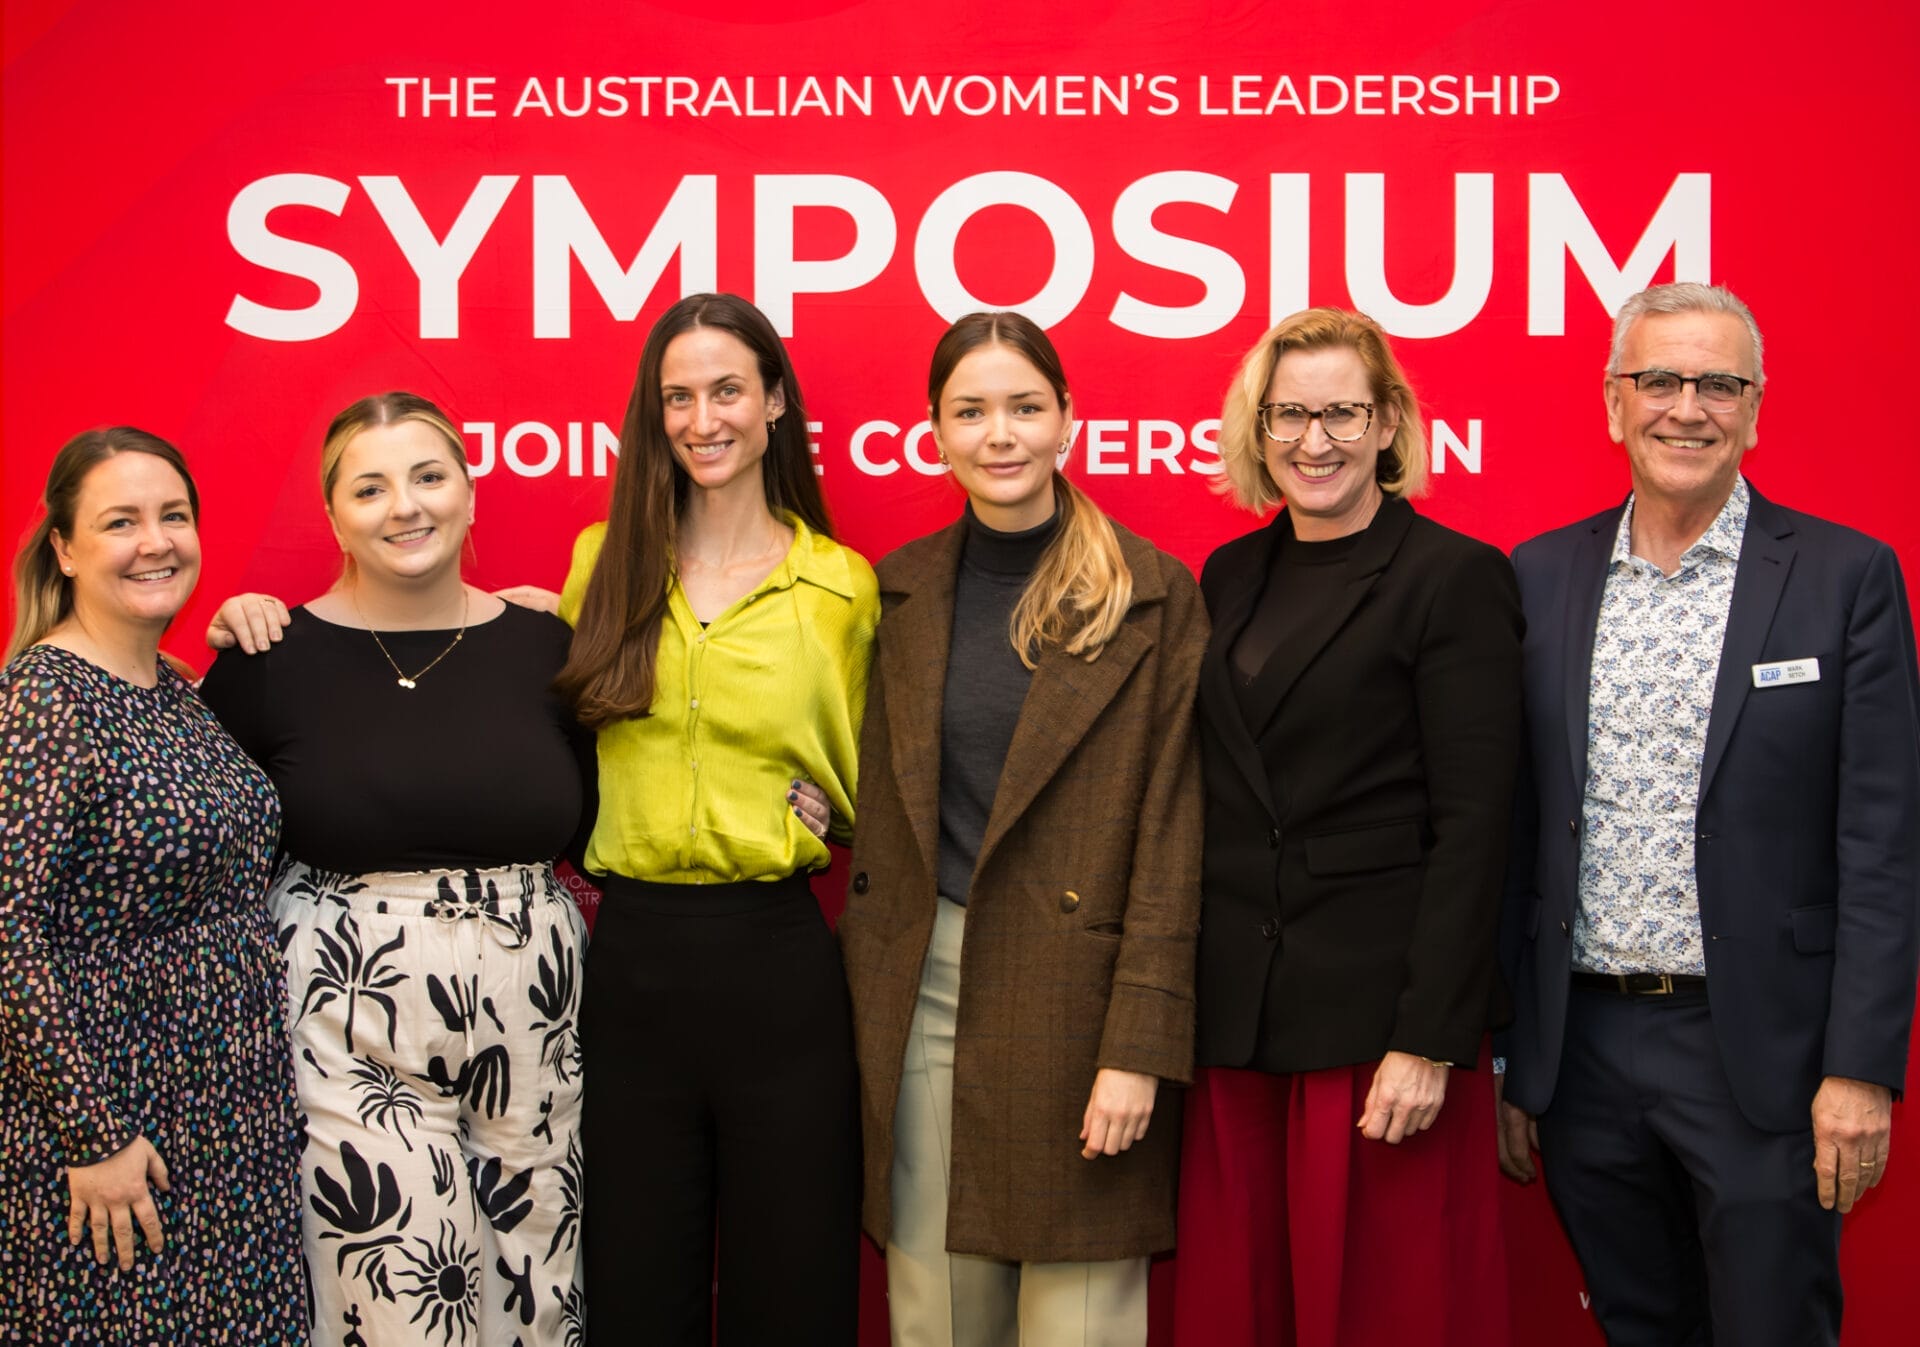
400 504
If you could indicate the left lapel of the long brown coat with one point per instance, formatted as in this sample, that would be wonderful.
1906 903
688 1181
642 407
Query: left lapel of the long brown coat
915 636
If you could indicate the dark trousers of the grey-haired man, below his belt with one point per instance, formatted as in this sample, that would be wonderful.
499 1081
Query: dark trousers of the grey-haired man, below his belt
1691 1223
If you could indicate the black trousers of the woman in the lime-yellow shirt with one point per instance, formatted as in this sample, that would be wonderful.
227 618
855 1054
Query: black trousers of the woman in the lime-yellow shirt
721 1116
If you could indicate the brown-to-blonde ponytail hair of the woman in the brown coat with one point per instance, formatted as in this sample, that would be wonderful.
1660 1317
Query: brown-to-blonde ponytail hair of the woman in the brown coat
1082 588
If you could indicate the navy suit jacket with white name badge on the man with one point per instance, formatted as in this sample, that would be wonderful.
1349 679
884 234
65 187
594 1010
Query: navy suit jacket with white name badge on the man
1808 822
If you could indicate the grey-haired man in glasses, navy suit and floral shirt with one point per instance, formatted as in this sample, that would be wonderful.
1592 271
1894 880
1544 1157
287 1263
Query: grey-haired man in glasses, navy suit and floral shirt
1710 926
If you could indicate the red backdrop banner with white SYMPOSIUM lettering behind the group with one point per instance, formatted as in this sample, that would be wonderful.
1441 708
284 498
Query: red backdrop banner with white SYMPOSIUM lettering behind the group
226 222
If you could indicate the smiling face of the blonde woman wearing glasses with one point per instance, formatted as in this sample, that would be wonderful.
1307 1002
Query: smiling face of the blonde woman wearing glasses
1332 488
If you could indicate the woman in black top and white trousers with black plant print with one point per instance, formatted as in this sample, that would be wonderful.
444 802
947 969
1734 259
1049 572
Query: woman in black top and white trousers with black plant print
429 780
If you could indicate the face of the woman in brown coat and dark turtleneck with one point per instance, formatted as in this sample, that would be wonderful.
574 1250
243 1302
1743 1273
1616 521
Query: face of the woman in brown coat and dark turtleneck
1001 427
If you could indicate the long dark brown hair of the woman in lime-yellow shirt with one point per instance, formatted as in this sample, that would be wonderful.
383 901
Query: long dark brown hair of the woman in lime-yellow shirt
610 671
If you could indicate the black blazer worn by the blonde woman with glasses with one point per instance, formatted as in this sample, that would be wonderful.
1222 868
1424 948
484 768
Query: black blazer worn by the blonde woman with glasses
1356 834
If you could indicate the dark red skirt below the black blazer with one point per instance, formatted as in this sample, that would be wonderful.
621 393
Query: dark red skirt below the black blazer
1295 1231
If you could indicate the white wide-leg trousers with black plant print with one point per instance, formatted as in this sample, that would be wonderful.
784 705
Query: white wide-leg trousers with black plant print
437 1052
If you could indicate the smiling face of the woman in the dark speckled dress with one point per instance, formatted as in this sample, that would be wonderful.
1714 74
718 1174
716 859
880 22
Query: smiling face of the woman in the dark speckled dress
135 550
